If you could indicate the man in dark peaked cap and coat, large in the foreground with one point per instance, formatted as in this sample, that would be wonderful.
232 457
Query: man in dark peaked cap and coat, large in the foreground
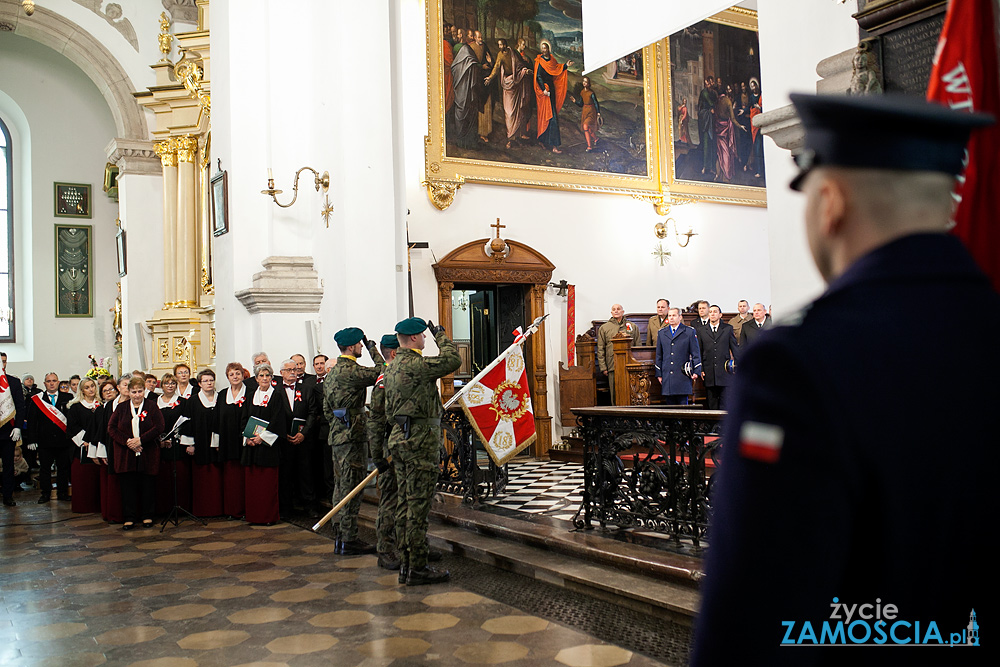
867 511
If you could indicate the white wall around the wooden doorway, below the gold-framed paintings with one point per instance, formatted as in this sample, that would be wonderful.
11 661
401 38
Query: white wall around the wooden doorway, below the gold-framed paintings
601 243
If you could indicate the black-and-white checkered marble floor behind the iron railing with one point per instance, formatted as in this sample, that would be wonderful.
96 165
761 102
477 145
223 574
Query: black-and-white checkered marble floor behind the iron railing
549 488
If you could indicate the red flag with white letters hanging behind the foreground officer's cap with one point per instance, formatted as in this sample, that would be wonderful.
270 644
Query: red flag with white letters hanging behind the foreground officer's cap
966 77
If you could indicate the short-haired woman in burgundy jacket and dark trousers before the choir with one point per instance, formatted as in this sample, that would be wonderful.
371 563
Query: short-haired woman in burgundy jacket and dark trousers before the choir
134 430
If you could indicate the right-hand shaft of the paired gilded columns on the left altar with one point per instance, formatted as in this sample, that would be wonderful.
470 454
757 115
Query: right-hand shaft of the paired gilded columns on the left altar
186 256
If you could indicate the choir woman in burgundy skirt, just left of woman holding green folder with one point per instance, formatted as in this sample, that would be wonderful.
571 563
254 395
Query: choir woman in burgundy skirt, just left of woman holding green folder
230 415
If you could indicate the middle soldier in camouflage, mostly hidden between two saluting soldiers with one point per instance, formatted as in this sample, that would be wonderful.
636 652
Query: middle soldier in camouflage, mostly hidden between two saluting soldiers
378 435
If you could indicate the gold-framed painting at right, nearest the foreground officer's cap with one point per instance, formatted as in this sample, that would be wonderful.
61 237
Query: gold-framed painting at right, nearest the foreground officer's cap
710 92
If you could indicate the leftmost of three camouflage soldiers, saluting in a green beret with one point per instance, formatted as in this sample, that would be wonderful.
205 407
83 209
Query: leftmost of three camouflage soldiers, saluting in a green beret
344 393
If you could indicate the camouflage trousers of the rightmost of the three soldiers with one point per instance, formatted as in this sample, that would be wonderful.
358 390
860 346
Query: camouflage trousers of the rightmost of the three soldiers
417 465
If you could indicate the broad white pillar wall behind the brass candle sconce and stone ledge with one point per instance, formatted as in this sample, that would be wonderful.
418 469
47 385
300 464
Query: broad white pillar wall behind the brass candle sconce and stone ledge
293 97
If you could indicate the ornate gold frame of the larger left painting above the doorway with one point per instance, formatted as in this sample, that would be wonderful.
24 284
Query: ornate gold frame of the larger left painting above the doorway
445 175
